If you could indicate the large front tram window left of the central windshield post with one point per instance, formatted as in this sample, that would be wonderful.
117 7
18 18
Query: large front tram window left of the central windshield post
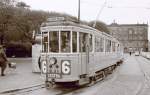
54 41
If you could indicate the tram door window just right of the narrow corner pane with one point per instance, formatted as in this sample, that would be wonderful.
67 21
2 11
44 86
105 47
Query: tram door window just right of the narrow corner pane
82 42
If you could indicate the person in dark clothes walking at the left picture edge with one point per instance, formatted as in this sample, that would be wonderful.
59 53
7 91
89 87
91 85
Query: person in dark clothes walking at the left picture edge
3 60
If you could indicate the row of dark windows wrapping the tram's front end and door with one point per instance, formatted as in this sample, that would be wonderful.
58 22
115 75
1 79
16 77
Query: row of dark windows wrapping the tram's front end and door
65 42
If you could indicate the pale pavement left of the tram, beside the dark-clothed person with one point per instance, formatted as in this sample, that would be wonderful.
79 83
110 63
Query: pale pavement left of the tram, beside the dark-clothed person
21 77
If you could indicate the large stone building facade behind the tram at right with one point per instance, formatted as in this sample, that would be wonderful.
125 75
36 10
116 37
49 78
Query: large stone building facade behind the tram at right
134 37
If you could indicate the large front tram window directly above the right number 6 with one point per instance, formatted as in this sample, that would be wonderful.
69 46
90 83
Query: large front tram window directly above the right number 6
65 41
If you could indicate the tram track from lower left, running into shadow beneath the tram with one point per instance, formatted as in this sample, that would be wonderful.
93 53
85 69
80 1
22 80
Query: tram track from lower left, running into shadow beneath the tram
61 90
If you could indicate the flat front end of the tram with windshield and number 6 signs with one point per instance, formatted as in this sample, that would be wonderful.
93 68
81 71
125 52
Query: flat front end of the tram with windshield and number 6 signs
59 57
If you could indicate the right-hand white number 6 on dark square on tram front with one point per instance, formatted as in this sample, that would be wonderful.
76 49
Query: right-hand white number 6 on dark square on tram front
66 67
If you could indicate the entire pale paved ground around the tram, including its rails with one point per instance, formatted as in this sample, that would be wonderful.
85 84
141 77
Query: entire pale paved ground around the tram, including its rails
131 78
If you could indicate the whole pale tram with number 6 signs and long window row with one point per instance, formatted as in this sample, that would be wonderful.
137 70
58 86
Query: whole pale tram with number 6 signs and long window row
76 53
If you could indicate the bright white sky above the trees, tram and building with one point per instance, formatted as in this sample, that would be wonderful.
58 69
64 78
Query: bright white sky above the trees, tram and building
120 11
